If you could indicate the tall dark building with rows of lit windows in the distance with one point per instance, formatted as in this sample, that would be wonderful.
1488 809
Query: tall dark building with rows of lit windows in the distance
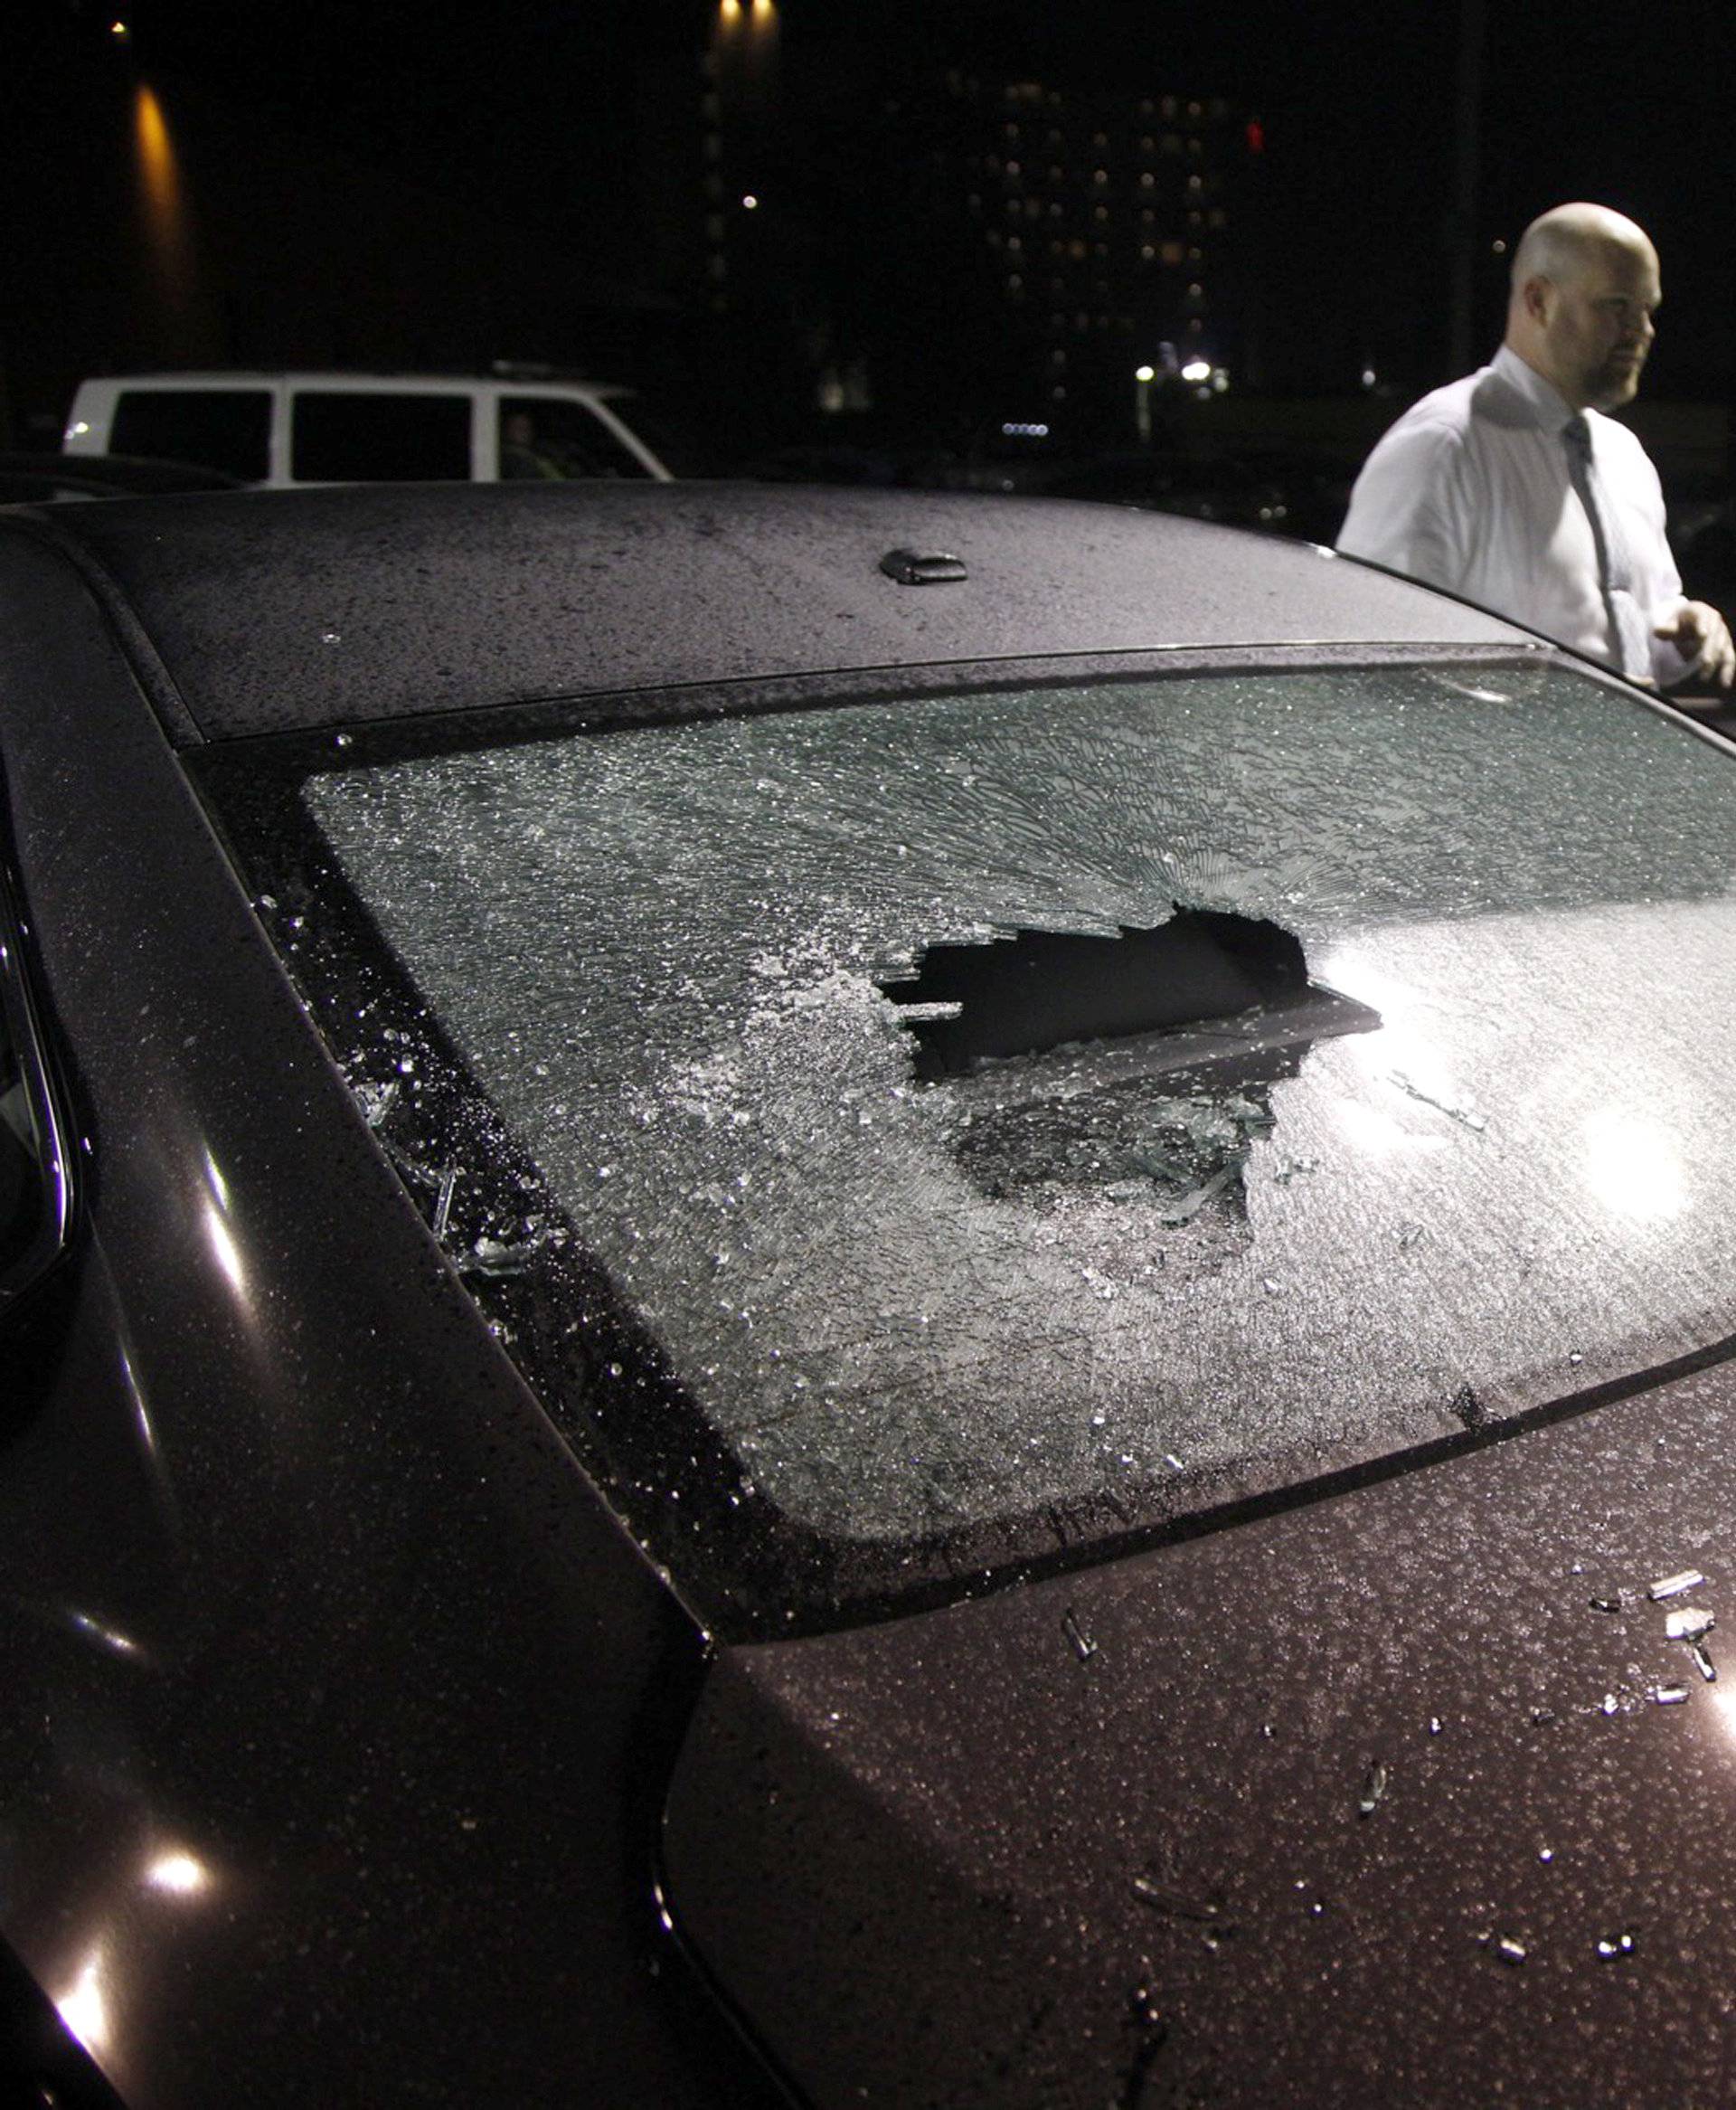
942 239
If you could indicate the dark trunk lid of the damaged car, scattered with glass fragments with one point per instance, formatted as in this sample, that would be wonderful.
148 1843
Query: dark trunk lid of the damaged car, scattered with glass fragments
1381 1799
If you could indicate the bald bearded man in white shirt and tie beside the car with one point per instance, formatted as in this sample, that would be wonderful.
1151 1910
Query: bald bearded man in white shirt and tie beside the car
1516 488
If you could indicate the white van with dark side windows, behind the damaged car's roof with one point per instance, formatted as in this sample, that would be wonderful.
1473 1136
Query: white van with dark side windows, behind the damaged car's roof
366 427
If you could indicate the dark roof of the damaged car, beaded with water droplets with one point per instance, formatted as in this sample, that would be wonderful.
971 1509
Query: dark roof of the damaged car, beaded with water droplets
339 607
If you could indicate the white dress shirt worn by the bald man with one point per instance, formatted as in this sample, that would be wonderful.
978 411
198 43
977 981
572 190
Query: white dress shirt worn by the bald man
1471 491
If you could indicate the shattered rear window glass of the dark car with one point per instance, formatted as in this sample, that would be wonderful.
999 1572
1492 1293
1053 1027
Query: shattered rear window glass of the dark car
1028 1113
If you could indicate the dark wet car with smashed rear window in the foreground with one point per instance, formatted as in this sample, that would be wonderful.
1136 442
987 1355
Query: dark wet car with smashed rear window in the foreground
851 1299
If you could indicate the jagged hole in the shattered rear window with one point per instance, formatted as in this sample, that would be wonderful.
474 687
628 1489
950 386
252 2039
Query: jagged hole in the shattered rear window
1136 1064
